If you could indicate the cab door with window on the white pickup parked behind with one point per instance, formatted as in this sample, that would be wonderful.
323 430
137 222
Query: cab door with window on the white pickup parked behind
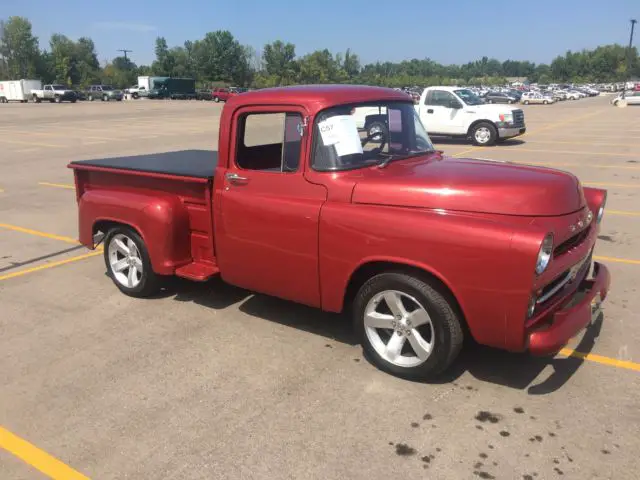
438 114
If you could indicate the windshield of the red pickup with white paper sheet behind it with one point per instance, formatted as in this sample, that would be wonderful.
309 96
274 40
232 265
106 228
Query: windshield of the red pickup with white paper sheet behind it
360 135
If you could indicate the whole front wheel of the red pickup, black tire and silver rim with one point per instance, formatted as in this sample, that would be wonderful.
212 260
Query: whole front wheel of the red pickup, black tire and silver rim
407 327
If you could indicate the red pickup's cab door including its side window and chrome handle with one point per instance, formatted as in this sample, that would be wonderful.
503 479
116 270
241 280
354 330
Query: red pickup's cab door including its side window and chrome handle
266 213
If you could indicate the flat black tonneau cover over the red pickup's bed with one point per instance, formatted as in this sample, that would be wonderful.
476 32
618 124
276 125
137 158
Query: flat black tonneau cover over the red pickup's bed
184 163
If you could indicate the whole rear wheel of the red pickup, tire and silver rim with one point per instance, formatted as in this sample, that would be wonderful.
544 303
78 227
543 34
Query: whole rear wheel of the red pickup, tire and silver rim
127 261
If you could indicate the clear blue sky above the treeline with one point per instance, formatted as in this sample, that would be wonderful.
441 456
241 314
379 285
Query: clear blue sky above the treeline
448 32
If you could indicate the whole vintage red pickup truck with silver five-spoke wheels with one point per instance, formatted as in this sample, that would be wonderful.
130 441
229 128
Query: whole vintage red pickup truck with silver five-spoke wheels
422 249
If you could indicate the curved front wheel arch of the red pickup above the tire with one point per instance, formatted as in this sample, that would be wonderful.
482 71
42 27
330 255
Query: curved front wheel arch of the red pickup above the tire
372 267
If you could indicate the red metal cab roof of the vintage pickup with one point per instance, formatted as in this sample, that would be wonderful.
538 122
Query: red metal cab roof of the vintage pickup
317 97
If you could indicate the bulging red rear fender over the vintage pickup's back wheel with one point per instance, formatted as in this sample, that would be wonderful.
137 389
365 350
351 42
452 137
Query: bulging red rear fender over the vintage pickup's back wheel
161 220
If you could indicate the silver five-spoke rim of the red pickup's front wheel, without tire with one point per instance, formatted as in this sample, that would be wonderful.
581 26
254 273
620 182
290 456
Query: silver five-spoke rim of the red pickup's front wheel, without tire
399 328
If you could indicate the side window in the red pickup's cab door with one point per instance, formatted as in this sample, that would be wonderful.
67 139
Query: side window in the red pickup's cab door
269 142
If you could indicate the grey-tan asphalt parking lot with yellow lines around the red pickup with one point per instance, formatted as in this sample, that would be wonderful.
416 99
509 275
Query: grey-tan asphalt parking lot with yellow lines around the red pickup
211 381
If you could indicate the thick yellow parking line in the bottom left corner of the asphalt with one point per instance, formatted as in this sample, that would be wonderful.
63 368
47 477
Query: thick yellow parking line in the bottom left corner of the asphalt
32 455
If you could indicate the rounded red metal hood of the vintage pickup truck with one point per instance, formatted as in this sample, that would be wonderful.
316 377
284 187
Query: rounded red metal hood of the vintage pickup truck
471 185
